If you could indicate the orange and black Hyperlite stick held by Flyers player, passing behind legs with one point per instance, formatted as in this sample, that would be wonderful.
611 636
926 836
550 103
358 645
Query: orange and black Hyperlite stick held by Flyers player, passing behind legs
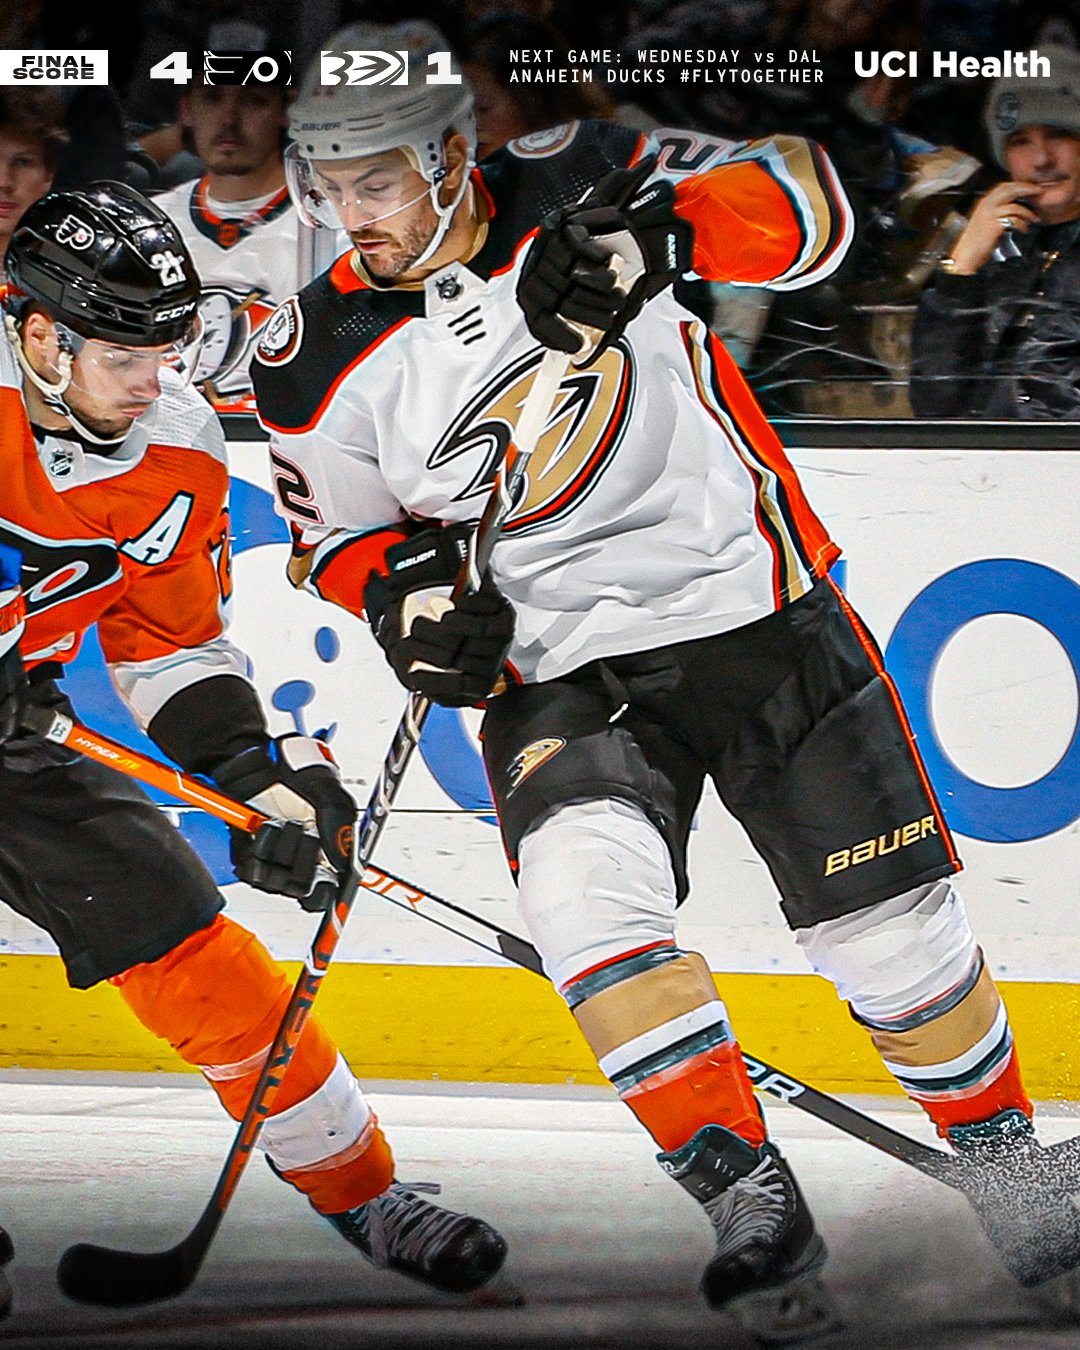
943 1167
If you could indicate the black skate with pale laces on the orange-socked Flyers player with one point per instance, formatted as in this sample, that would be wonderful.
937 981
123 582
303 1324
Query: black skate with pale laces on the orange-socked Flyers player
402 1232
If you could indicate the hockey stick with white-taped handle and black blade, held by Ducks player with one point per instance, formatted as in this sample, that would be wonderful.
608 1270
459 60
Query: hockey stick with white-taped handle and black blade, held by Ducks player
117 1278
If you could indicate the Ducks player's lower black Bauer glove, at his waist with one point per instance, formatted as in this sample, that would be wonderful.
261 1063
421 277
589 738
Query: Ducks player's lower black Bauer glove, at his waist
449 651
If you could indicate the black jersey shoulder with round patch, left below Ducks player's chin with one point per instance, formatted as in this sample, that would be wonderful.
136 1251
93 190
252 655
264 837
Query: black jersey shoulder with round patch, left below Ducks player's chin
315 338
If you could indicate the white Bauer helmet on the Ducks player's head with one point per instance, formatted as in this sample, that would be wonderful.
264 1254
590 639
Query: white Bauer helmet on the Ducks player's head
353 121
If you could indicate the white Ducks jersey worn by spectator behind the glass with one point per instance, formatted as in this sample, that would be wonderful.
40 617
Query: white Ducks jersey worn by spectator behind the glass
250 256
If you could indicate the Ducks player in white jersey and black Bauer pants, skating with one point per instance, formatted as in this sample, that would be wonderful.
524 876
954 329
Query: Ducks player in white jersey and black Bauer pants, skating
658 608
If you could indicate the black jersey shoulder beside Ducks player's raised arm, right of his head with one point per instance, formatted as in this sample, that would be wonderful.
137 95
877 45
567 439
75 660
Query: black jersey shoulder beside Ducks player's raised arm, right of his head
537 175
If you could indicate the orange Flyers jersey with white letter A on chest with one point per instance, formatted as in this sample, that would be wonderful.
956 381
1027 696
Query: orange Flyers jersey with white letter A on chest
136 542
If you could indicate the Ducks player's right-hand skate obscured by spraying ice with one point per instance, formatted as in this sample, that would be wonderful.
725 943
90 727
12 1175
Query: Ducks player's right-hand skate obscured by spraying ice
1027 1197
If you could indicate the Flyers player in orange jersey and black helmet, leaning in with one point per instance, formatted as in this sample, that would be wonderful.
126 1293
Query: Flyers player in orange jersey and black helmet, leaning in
114 512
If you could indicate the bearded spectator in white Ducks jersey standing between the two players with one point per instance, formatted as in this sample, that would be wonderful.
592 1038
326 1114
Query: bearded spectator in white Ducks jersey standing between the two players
241 229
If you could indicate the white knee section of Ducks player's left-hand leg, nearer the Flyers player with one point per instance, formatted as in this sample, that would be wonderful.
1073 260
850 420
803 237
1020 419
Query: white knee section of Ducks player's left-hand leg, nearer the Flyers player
596 884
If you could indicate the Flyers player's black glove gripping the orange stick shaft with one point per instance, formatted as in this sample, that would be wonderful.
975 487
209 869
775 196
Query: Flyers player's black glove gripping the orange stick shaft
295 781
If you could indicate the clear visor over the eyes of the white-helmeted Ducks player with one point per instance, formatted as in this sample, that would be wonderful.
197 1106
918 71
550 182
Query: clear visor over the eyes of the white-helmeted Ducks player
357 194
